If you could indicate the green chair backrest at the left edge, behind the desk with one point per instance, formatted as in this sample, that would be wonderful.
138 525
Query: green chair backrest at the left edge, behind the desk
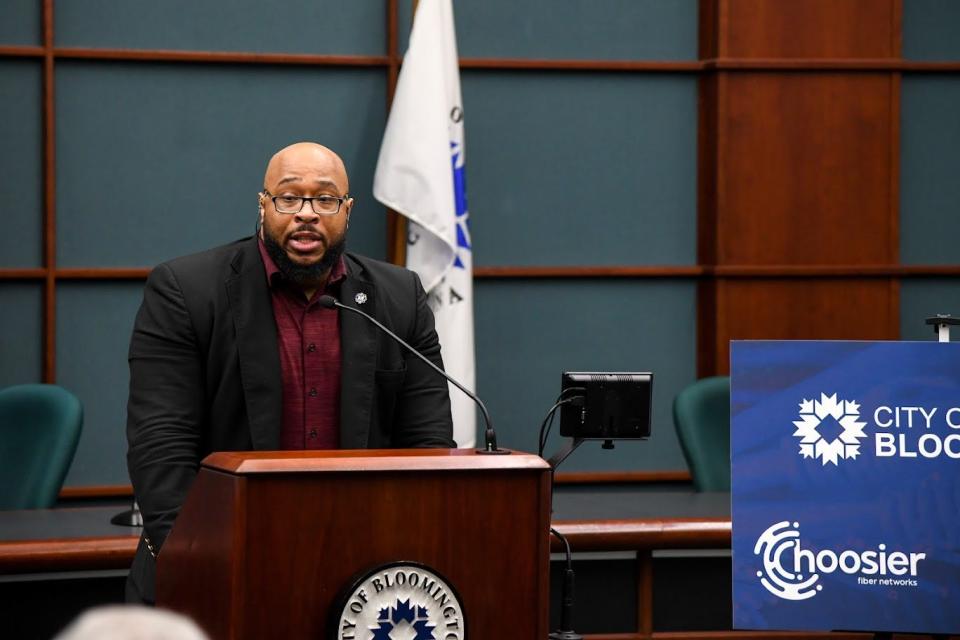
40 427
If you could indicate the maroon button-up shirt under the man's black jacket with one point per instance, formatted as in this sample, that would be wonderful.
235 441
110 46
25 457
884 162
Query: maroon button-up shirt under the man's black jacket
308 338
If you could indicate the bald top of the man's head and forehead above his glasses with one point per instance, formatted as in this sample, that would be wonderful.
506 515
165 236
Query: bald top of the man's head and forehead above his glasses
306 165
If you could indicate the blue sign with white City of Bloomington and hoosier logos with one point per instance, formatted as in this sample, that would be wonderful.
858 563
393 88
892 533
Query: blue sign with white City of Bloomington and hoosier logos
846 486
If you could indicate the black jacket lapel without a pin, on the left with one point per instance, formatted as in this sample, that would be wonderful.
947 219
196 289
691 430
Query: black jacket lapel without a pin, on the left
252 310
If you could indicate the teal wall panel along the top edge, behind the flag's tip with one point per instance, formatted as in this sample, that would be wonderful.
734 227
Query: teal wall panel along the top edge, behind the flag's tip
580 29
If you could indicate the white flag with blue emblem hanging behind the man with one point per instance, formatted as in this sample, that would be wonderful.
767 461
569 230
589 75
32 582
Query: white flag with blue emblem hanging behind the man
420 174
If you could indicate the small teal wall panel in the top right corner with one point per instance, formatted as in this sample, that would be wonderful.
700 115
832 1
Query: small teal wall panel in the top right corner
931 29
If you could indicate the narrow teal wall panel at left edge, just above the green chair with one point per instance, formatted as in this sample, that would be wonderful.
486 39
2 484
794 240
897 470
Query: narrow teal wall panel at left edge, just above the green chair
21 337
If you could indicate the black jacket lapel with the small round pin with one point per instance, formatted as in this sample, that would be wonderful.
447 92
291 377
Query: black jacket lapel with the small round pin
358 354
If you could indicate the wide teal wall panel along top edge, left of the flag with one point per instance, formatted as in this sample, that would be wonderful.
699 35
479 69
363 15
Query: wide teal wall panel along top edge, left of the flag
288 26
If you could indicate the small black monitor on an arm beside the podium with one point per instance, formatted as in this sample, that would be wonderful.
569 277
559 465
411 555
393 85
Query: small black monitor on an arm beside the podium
615 405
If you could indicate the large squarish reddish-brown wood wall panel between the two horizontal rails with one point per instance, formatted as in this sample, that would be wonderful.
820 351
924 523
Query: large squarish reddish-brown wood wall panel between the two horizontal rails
805 169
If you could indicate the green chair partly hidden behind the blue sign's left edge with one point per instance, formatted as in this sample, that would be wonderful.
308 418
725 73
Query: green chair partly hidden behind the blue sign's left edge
701 415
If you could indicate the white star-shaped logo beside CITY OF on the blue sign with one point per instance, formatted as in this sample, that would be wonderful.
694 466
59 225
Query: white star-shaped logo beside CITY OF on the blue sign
815 415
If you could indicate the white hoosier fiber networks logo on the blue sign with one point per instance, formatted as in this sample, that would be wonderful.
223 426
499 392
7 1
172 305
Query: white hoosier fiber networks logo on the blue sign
792 573
